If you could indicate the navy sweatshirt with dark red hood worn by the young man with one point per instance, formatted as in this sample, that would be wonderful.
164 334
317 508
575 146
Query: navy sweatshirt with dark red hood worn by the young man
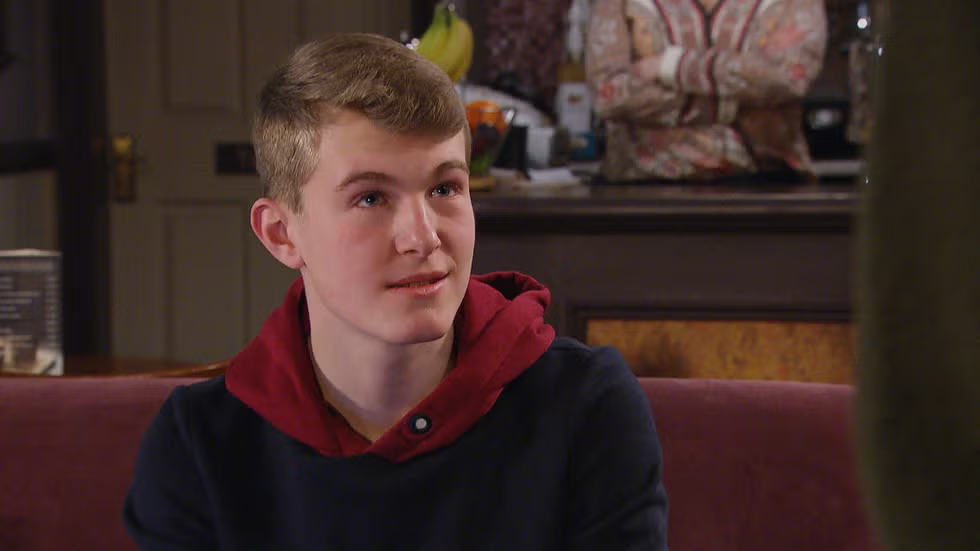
559 453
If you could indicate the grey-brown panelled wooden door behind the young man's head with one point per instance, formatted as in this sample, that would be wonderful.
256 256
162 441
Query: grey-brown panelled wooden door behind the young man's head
189 280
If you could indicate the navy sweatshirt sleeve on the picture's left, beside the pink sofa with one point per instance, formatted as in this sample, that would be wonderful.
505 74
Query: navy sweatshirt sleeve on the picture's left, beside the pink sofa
167 507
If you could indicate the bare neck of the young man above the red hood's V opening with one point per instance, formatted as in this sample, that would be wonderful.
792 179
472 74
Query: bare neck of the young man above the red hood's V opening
373 387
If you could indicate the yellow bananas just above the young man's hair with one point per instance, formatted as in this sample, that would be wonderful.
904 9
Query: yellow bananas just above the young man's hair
448 42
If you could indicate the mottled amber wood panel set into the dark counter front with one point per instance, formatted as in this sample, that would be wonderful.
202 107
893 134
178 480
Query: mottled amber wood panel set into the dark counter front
732 349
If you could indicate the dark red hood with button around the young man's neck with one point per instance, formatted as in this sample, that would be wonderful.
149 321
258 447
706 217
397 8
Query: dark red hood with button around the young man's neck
499 332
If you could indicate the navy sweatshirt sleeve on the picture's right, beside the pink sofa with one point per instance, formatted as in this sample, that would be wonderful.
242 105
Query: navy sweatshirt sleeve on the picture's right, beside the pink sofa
616 497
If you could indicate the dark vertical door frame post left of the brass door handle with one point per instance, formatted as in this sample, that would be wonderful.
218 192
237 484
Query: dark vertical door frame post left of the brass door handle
78 64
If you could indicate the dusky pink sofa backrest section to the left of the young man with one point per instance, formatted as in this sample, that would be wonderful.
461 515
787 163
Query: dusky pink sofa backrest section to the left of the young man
67 447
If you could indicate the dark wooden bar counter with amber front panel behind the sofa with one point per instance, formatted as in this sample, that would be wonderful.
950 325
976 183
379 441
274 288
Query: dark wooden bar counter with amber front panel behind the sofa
689 280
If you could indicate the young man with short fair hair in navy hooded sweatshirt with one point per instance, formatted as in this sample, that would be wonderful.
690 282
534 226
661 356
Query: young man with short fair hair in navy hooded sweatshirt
393 401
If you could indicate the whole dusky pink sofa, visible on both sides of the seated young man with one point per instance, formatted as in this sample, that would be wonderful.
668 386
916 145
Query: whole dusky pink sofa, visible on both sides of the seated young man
748 465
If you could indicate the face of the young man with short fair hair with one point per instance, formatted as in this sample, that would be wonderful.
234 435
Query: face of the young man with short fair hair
386 233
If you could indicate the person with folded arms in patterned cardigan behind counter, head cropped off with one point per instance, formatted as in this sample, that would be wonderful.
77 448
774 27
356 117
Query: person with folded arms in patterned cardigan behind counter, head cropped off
704 88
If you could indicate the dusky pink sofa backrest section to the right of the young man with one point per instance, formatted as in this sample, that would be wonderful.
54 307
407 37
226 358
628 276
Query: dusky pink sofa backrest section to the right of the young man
752 465
